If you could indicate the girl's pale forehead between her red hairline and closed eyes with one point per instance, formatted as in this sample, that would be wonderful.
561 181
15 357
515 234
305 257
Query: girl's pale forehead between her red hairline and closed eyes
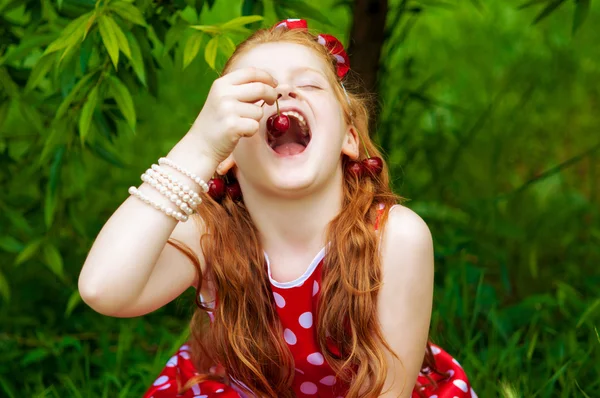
281 58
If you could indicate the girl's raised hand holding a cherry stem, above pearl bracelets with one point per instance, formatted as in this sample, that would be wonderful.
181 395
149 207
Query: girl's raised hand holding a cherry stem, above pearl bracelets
233 110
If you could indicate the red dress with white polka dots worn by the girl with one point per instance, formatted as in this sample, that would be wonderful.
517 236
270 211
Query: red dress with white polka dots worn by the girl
296 305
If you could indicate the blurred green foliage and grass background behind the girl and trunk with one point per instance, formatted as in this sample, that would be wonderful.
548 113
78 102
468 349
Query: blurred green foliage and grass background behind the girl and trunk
489 119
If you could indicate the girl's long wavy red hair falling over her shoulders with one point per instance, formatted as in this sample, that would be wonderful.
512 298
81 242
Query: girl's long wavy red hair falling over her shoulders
245 336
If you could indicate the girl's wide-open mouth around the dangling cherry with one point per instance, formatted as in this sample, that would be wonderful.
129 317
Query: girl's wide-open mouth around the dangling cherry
295 139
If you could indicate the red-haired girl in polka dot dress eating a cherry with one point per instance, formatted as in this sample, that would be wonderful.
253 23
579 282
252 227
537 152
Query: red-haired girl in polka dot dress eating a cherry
340 306
